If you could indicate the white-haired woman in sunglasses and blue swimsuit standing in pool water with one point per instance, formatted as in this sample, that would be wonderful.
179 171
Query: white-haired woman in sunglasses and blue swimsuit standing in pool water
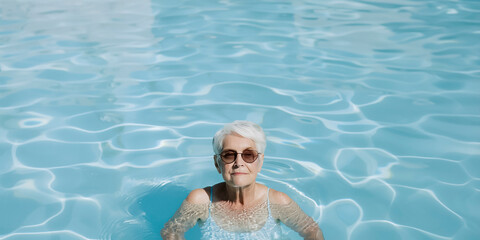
239 208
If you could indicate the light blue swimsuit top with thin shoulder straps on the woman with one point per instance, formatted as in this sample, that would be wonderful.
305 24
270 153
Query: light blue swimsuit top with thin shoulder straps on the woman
210 230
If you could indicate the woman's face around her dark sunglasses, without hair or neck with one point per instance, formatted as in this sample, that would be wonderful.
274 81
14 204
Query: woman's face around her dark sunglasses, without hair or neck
238 173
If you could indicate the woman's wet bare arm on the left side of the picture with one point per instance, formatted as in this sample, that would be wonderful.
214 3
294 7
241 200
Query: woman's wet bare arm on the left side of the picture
195 207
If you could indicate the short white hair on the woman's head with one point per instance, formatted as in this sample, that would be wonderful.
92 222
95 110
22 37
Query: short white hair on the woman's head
245 129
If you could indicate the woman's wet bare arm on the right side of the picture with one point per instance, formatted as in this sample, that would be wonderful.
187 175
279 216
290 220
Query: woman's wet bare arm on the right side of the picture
288 211
